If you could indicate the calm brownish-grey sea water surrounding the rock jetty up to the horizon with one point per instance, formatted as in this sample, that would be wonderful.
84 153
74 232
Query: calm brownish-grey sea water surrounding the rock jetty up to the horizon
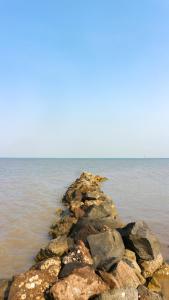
31 190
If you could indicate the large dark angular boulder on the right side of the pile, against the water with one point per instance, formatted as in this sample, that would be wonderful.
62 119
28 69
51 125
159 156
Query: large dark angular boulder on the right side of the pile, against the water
138 237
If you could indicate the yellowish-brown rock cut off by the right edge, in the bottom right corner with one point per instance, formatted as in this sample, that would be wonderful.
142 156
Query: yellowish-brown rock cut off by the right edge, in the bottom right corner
160 281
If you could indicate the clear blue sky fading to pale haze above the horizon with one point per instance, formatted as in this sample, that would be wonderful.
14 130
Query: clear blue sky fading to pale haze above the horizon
84 78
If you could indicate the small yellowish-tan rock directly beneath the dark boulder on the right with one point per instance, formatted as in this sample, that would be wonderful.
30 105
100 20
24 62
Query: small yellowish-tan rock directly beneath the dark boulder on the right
150 266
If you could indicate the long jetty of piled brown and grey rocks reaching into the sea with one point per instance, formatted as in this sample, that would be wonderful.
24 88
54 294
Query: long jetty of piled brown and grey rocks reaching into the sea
93 255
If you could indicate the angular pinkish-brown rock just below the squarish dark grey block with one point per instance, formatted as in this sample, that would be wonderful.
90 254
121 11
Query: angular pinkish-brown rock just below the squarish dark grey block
122 276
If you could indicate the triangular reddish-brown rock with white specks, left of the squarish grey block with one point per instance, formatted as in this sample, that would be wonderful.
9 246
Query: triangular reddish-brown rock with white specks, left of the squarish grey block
79 254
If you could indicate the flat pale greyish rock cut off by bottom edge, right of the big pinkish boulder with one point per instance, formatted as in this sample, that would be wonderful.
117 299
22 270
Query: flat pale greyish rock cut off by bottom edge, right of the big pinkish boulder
119 294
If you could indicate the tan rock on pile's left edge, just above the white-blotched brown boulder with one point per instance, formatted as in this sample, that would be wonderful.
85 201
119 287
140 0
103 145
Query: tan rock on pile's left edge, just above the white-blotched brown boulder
56 247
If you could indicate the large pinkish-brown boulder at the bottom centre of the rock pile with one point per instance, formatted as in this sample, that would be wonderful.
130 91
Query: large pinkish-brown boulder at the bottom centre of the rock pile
82 284
